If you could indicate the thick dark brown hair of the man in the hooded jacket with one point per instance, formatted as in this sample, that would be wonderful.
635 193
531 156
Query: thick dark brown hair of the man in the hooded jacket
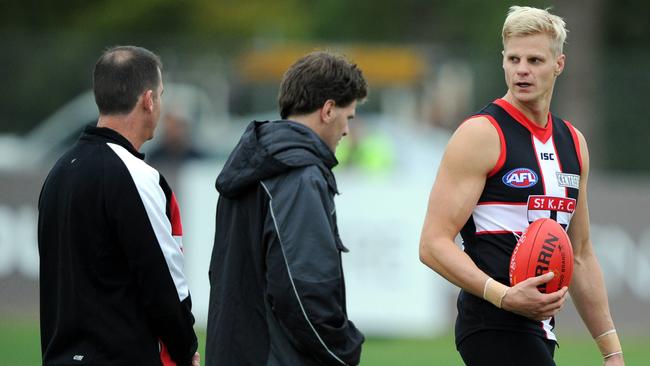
316 78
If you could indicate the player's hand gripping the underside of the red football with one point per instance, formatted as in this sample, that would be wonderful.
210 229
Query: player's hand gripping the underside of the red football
525 299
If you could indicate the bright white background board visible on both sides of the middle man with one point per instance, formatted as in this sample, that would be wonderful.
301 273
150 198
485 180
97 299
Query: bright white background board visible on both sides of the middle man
389 291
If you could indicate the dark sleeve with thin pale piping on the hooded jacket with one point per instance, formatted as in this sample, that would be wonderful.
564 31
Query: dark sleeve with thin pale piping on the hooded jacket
304 274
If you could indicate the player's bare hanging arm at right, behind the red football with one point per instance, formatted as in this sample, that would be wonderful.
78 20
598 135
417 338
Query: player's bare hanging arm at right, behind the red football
588 288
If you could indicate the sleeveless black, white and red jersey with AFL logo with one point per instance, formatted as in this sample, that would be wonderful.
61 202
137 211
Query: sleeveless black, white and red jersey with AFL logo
537 175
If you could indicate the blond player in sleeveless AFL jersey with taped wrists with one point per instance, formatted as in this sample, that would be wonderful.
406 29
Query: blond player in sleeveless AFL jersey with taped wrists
473 195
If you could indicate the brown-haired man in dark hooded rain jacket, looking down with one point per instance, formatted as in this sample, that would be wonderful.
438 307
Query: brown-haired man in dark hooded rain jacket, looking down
277 290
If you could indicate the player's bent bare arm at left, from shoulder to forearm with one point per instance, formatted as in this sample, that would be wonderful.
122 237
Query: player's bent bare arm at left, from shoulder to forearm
460 181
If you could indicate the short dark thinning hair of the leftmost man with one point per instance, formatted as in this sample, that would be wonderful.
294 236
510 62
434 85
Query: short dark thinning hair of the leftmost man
121 74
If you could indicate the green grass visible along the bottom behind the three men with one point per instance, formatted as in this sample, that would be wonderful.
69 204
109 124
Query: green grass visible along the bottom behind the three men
19 346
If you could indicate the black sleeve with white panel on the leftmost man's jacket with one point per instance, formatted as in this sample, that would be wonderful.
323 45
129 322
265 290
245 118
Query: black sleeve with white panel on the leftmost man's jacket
138 209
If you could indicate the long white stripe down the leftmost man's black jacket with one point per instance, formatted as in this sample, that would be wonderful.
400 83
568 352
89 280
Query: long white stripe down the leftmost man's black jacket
147 180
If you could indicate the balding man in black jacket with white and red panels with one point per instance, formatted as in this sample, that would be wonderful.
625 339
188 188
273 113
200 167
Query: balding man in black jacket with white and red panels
112 287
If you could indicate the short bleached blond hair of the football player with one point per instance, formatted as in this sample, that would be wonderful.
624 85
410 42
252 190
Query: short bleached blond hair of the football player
524 21
